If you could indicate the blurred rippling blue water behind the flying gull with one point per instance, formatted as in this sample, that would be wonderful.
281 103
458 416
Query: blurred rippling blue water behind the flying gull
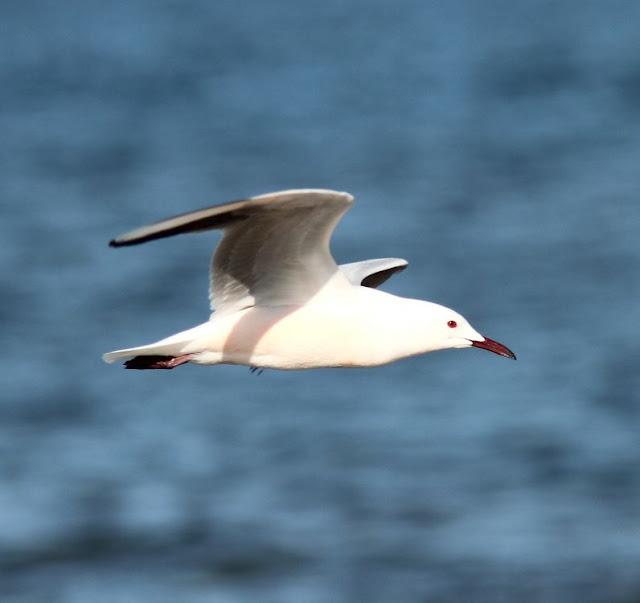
495 145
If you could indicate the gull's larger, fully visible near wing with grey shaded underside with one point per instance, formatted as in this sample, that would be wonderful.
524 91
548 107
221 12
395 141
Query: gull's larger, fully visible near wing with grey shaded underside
274 250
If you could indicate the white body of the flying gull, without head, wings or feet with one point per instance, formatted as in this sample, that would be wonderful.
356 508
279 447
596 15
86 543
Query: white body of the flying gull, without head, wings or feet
323 333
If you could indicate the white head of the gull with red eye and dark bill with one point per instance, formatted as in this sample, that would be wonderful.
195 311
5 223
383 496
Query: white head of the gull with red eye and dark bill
448 329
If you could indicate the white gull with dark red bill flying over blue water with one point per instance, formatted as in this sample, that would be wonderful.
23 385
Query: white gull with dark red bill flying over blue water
280 301
